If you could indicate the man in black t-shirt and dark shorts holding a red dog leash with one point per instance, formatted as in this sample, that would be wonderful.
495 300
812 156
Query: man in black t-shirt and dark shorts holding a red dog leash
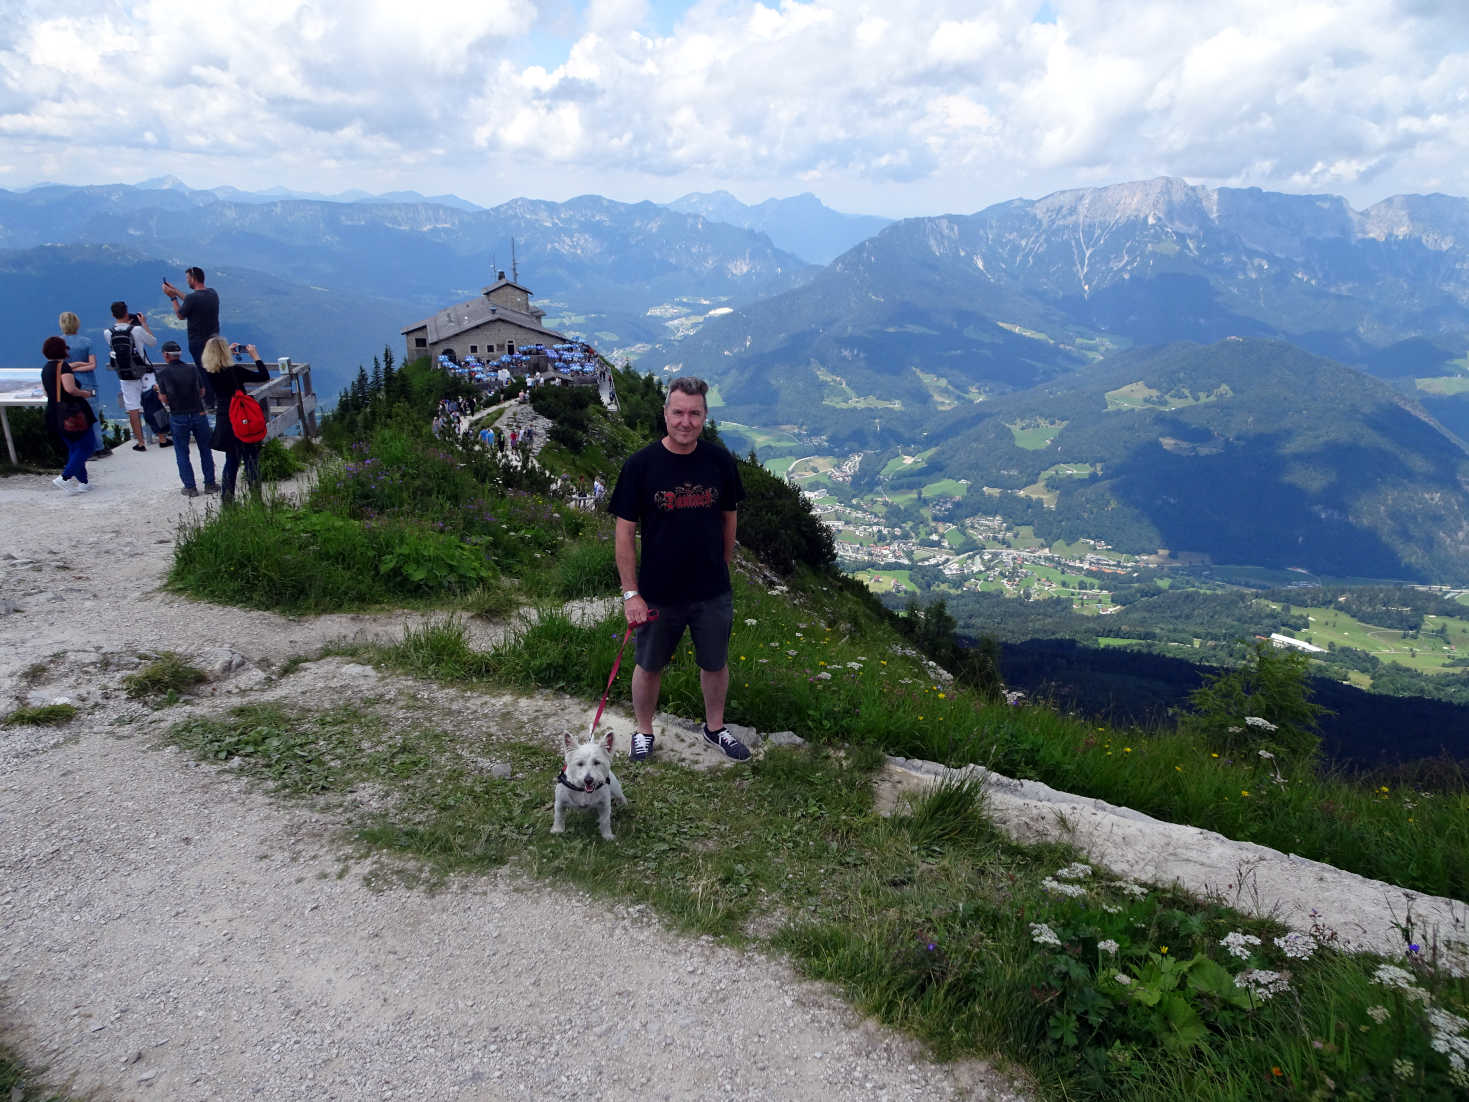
684 493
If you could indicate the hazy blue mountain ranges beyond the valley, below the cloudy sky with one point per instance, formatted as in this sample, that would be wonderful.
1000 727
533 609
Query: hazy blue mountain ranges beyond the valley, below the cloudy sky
936 333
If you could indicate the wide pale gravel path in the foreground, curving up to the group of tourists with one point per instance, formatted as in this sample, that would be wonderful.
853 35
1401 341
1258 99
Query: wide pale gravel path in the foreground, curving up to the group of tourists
171 932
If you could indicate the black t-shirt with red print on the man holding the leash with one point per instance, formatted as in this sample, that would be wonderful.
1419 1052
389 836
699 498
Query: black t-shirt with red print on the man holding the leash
679 502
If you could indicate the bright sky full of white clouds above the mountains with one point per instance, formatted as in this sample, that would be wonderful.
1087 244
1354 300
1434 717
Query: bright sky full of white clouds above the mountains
892 109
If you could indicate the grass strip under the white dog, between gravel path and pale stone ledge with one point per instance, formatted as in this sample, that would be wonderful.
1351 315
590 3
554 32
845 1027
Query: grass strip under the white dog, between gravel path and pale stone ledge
926 919
